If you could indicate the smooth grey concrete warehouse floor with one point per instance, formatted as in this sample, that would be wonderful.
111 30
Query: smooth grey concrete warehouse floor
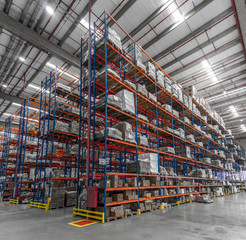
224 219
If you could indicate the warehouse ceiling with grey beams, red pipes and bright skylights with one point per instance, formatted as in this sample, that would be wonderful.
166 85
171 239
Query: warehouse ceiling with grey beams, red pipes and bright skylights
197 42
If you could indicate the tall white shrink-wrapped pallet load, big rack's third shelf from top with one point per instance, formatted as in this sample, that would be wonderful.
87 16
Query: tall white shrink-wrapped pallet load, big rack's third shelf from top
127 99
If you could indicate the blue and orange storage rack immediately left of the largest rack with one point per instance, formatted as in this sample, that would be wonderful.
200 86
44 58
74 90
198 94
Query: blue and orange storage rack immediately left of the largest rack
57 158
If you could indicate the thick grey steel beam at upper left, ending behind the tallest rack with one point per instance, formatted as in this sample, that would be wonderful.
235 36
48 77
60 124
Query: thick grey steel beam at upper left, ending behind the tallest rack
36 40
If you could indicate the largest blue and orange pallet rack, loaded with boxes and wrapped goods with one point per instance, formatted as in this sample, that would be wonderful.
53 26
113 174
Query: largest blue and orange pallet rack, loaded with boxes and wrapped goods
148 146
